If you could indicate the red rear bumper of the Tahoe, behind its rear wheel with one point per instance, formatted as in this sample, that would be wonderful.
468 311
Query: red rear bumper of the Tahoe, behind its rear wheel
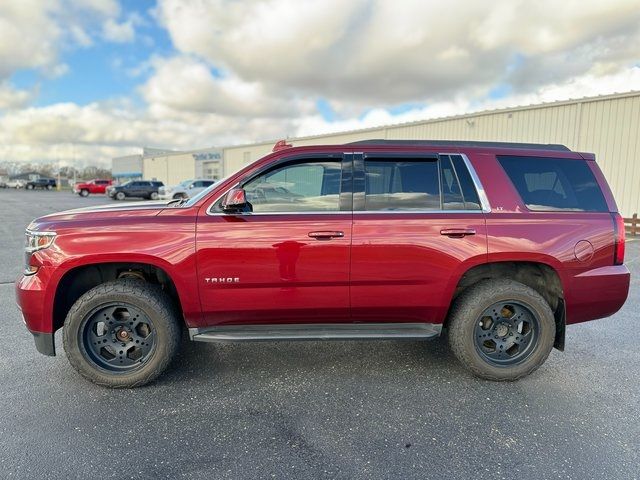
598 293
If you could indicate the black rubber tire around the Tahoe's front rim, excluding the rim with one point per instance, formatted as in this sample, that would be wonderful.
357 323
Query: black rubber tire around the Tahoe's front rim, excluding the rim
146 297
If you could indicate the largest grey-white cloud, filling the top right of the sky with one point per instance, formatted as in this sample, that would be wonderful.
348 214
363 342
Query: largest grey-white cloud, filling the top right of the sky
384 52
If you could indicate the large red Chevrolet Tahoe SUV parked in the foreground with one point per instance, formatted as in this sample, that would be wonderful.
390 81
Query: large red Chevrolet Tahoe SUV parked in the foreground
500 246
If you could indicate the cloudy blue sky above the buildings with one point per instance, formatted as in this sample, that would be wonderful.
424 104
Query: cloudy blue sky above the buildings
82 81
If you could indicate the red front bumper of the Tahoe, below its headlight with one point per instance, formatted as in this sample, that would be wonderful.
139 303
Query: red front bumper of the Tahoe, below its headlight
32 301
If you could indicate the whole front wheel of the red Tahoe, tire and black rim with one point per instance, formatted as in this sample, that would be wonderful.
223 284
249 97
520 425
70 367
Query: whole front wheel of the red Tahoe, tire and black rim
121 334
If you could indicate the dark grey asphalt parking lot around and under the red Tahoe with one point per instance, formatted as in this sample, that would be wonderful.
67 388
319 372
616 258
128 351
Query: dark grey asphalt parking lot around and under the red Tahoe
318 409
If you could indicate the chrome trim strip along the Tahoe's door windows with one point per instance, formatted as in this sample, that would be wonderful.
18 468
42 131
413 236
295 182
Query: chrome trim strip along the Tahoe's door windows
484 201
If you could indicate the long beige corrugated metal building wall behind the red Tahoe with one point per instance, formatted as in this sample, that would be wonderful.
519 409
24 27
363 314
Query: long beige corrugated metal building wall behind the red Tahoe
608 126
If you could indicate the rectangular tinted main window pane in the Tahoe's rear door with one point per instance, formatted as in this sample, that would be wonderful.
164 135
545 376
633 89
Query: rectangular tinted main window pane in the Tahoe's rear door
405 184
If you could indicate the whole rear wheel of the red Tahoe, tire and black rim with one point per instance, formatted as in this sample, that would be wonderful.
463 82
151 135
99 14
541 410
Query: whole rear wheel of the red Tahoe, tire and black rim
501 329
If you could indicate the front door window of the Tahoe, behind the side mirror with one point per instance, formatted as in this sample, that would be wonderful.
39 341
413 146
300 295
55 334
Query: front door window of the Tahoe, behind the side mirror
300 187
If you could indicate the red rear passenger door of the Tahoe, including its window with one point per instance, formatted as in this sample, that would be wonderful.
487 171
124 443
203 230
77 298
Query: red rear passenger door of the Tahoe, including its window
418 224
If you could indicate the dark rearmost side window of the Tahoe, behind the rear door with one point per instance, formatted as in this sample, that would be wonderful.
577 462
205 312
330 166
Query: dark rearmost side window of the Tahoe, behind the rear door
550 184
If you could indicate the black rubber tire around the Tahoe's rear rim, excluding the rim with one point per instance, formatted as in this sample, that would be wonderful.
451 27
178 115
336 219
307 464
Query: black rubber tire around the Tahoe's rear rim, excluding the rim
466 312
